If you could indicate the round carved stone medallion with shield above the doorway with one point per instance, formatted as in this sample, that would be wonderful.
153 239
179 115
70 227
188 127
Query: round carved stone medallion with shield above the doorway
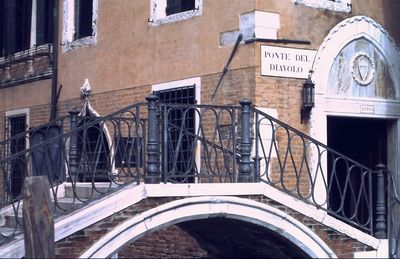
362 69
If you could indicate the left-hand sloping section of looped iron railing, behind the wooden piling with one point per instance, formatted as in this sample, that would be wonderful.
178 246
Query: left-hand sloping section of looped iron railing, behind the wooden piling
104 152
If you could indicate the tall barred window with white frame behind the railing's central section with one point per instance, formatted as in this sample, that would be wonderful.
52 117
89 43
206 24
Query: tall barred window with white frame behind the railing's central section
183 159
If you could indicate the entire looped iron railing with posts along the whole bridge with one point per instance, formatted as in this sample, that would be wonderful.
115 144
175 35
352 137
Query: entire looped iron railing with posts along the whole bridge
195 144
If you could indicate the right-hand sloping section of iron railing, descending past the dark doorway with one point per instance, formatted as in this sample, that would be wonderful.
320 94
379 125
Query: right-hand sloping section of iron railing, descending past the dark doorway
311 171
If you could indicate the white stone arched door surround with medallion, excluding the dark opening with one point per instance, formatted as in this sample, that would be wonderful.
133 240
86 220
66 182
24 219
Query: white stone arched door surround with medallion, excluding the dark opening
357 76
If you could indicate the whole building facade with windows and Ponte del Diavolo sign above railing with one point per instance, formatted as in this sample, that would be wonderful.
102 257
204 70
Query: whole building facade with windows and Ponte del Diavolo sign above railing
116 53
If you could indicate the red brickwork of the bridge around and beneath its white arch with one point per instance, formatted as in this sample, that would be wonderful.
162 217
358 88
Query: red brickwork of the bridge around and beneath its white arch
173 242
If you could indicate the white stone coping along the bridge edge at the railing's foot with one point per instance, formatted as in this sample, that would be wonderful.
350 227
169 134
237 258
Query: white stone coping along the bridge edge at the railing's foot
132 194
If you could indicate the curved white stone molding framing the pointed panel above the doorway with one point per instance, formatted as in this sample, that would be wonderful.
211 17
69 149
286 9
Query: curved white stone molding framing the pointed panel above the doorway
347 31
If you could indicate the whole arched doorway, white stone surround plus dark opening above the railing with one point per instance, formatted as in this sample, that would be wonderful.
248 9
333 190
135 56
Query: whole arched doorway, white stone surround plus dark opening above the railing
357 108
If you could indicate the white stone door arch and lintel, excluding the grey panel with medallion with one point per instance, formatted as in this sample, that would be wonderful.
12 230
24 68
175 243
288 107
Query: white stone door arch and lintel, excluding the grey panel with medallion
347 31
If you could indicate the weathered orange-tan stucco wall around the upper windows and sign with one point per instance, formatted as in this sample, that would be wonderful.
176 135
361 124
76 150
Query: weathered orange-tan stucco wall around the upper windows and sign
131 54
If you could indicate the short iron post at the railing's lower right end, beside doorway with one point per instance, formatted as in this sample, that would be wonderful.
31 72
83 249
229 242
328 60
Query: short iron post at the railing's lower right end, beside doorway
380 226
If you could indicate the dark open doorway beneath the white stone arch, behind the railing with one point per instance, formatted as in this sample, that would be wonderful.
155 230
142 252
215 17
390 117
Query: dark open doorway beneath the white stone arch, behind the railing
365 141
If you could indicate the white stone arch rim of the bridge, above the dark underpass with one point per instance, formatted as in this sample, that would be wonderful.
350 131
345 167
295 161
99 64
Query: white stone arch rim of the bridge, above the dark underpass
204 207
